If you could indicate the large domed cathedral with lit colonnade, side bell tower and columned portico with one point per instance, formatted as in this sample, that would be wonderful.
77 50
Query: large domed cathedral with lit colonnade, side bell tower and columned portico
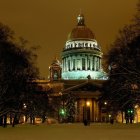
80 73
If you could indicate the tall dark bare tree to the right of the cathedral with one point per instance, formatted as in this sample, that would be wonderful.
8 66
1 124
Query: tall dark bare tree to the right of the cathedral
122 89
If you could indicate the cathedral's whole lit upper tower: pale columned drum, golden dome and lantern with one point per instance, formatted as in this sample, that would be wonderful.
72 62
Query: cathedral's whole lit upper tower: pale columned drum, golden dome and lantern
81 56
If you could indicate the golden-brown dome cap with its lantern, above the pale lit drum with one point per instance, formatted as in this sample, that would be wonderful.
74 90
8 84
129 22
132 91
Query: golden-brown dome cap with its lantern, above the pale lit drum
81 31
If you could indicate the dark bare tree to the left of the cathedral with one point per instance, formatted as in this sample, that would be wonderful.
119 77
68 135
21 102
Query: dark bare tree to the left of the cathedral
17 69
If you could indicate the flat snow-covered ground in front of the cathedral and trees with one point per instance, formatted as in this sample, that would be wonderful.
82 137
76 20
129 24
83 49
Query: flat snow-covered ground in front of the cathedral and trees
76 131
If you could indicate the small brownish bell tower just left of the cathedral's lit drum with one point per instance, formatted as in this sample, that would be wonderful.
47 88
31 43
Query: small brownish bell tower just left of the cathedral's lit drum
55 70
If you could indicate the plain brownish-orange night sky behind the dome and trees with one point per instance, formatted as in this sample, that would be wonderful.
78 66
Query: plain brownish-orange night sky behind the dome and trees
47 22
